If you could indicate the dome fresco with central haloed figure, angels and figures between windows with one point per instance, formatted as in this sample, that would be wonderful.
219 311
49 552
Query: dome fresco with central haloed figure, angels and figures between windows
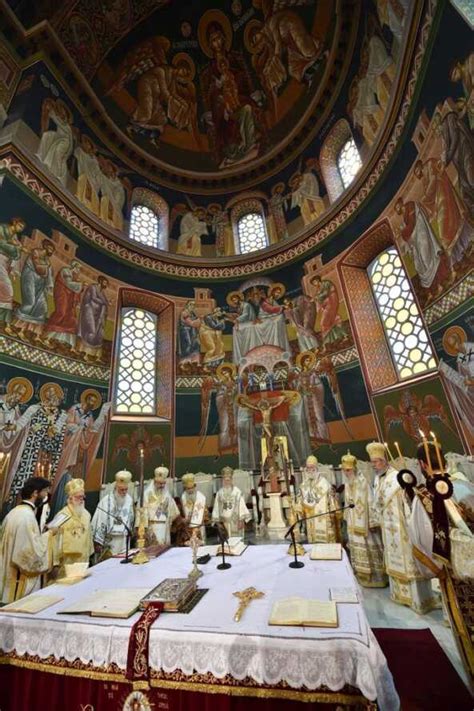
214 108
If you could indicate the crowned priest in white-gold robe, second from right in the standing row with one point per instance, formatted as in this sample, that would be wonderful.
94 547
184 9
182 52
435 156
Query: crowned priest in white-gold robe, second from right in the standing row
365 537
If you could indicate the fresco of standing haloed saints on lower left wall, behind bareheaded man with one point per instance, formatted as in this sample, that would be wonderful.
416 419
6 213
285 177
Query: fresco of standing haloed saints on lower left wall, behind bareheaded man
50 427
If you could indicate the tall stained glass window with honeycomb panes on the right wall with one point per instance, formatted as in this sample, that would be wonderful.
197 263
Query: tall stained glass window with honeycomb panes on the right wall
407 337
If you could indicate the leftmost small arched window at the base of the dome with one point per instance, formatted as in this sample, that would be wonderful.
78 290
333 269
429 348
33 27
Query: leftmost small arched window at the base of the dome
149 219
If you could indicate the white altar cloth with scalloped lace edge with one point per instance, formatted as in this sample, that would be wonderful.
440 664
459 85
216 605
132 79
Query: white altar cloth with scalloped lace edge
207 639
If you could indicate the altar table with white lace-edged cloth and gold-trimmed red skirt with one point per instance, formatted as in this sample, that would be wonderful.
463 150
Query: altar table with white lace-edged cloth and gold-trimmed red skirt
205 650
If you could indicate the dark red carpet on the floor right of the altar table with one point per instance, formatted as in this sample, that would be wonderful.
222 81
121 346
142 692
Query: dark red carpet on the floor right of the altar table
424 677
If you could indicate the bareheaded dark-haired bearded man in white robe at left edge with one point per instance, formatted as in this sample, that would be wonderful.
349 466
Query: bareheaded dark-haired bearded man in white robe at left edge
25 553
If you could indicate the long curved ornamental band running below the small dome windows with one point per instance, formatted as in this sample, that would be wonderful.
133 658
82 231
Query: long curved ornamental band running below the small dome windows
163 266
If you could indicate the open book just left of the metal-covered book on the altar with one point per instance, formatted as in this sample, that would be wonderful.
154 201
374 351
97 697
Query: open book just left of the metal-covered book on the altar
108 603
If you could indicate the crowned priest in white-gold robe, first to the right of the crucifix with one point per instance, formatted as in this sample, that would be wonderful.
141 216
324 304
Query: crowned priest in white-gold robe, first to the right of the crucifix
317 496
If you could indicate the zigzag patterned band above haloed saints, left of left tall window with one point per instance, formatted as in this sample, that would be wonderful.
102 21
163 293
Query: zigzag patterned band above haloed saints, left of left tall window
30 354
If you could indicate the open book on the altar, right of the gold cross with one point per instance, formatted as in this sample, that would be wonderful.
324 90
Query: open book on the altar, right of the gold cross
299 612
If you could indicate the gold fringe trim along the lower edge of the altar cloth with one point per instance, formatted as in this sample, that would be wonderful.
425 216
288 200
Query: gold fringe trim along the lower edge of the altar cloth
257 692
